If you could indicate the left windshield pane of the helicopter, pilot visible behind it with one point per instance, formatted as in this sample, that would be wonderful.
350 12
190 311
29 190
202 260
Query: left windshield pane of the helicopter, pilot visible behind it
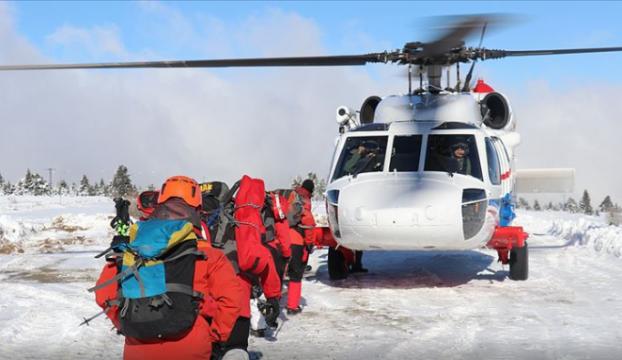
361 154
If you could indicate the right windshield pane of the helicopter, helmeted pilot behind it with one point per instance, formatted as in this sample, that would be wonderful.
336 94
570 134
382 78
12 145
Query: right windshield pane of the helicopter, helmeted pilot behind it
453 154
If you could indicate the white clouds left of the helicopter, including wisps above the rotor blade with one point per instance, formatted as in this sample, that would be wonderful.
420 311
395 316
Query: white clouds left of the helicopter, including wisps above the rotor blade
270 123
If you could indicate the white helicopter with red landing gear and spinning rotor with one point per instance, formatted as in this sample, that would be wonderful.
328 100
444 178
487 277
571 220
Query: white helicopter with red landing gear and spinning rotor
431 169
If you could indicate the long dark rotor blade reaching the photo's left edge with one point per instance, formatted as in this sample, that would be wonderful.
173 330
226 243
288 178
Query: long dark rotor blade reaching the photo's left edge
342 60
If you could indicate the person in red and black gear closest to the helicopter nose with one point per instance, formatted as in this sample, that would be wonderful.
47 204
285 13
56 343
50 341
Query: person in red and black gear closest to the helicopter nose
302 238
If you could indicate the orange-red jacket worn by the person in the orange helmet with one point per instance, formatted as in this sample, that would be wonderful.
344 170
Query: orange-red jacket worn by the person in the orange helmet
215 278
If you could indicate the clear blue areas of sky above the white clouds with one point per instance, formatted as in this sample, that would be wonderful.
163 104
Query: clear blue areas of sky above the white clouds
374 26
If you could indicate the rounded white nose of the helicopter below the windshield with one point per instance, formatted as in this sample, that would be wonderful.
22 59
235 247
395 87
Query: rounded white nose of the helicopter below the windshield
401 215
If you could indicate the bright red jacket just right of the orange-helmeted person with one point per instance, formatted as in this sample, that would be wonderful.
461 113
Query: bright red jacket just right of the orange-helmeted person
253 257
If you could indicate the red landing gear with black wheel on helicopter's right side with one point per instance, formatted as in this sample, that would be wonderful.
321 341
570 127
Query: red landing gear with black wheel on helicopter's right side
511 245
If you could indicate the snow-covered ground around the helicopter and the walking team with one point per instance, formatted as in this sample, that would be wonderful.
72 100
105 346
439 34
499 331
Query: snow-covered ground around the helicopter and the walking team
412 305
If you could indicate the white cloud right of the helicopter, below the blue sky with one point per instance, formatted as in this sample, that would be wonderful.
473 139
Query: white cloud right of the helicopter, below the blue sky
575 127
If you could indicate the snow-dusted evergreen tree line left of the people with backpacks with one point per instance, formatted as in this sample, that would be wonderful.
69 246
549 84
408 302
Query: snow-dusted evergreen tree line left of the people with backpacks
34 184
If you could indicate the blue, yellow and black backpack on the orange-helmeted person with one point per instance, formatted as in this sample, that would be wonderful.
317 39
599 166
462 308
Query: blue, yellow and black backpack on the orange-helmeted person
155 274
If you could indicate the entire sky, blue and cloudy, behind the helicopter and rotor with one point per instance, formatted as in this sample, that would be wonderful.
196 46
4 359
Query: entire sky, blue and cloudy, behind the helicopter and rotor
279 123
